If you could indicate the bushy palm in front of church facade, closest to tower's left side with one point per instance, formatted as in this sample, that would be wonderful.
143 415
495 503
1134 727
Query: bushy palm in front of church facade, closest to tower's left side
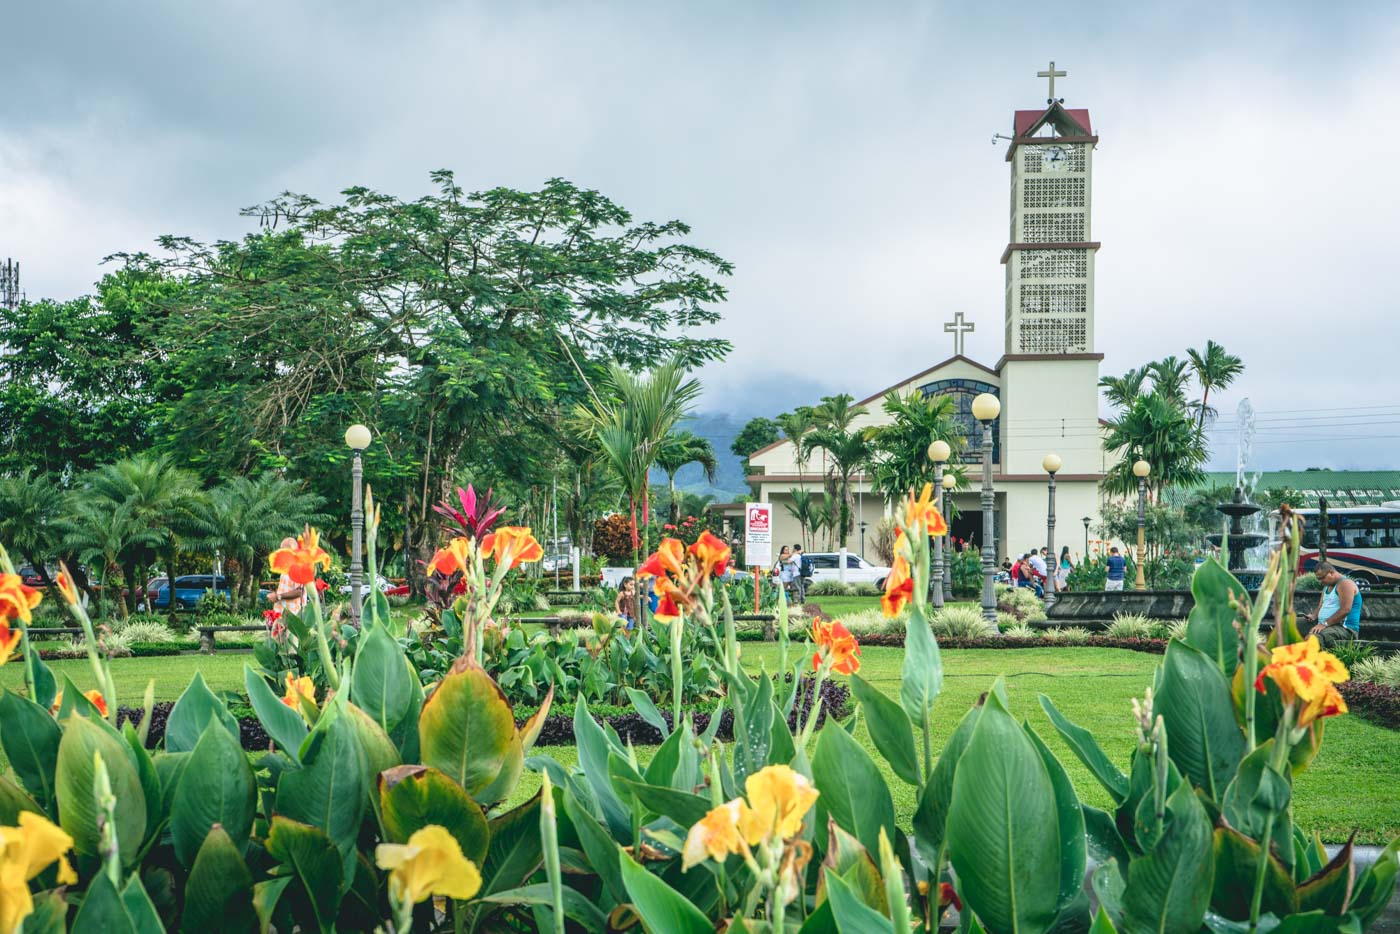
899 450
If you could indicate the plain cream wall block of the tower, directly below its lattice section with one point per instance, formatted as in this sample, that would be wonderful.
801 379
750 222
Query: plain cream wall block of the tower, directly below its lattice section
1051 407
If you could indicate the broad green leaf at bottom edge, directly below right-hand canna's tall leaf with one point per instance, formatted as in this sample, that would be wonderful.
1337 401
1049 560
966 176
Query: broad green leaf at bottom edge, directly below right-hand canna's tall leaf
1170 888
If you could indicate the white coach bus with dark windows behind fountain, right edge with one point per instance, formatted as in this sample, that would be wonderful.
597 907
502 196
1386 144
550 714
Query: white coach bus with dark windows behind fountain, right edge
1363 543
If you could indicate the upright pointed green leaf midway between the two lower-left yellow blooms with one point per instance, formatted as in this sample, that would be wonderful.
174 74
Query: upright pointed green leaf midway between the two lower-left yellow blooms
218 789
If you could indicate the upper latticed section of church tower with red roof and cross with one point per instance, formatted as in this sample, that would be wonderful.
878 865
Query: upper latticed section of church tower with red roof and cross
1051 254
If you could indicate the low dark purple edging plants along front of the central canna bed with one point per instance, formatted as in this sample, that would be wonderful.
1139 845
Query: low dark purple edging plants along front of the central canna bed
558 730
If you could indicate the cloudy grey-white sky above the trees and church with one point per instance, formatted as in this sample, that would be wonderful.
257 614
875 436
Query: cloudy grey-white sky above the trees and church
838 153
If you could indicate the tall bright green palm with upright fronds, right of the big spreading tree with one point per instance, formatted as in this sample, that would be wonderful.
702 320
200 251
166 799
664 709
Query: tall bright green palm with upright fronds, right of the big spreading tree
632 421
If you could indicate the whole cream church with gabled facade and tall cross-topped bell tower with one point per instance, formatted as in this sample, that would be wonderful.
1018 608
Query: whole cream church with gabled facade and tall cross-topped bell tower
1046 379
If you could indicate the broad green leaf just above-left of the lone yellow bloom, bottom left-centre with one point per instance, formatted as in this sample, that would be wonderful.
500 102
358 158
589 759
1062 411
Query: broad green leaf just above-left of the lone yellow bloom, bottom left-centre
328 792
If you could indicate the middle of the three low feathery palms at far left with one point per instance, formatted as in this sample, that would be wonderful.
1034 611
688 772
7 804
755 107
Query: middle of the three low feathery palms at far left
157 495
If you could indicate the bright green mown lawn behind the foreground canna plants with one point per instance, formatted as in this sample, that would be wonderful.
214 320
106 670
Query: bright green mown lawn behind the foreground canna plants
1350 786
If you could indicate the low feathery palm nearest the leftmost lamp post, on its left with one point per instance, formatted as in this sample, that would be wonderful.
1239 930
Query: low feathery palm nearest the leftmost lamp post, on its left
247 519
